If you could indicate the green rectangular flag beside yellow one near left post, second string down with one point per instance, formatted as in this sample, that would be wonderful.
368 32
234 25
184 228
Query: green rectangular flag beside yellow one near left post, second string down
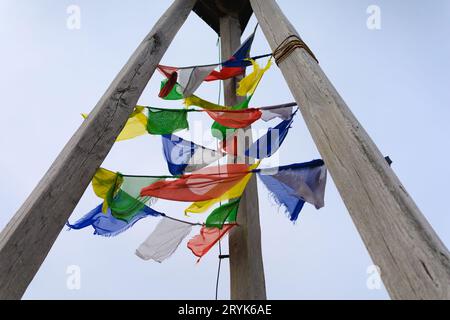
166 121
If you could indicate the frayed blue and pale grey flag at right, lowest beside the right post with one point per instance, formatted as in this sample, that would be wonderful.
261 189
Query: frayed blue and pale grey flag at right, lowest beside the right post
291 186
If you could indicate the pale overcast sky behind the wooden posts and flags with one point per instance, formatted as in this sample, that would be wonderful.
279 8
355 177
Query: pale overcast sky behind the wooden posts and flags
395 80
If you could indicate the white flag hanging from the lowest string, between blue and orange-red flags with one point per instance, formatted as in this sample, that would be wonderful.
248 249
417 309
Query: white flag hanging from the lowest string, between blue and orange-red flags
164 240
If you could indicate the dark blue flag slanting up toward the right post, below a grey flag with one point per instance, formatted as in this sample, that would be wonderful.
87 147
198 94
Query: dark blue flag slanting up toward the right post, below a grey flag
268 144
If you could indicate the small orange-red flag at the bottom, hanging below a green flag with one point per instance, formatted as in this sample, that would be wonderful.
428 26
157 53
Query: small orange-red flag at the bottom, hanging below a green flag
208 237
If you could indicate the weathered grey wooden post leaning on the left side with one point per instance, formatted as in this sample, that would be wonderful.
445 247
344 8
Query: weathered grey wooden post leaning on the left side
27 239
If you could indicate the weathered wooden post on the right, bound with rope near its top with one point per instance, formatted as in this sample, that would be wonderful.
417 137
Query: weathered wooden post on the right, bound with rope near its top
414 262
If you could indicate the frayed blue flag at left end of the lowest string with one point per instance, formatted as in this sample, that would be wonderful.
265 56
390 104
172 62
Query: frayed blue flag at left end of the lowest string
105 224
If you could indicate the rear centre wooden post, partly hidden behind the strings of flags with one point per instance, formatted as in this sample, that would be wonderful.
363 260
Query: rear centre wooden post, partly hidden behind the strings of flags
246 265
